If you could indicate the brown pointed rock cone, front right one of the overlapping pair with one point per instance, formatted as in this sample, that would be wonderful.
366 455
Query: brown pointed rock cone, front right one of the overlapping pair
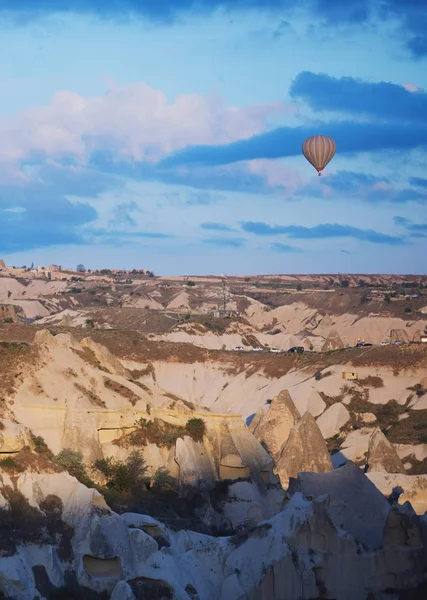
305 450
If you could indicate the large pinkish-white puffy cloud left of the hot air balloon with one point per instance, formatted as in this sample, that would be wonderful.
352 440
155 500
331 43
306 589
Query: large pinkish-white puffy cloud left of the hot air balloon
132 120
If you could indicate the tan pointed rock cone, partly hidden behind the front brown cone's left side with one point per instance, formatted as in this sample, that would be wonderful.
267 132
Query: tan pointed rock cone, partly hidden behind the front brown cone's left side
273 425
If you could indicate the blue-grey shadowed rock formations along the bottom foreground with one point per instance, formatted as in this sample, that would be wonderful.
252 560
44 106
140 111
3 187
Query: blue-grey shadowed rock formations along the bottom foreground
337 537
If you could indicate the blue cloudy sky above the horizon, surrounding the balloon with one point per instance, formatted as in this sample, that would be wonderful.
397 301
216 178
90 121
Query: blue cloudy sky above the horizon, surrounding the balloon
167 135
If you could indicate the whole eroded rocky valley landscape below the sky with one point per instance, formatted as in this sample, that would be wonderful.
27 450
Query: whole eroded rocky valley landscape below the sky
136 443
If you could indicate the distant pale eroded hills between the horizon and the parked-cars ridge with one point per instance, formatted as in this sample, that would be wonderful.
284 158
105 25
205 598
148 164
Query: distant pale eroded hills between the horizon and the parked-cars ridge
258 312
